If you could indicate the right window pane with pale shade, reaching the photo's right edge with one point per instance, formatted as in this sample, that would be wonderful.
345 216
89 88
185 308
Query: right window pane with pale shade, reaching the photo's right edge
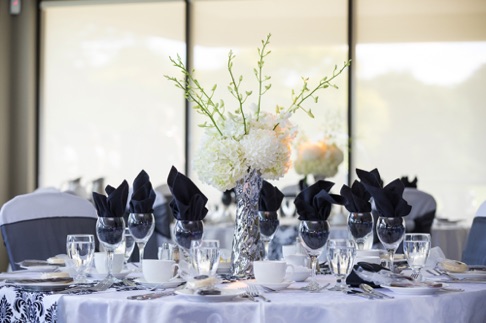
420 74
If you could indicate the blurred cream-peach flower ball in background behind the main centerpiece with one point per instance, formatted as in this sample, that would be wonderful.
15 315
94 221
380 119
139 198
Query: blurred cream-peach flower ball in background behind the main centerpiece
320 158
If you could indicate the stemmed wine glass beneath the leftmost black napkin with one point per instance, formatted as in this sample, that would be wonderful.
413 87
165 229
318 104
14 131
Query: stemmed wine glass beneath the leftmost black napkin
110 232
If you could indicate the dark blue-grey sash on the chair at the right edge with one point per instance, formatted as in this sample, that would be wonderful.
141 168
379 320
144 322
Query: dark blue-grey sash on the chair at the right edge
475 250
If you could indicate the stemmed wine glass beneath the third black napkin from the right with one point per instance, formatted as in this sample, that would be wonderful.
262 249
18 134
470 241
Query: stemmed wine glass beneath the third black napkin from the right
313 236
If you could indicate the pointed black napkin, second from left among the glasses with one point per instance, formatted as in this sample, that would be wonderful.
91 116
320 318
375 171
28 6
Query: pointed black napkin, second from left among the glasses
143 196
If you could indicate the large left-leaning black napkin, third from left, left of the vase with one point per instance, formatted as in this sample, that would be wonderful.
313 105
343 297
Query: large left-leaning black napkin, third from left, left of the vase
188 202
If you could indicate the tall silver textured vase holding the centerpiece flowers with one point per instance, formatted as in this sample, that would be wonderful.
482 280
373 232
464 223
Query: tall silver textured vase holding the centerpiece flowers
246 238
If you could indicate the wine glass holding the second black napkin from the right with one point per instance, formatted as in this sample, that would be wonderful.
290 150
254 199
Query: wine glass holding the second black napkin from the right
360 225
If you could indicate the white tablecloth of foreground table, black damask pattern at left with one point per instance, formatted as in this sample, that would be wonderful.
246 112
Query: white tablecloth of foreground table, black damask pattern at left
288 305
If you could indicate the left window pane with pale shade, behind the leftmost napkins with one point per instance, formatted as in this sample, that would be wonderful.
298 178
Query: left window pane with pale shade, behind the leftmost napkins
106 110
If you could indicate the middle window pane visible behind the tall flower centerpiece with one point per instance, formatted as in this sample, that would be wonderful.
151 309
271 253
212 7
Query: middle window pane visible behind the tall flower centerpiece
308 39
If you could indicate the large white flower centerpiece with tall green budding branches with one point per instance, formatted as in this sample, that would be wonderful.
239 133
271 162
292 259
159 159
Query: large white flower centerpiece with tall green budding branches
234 143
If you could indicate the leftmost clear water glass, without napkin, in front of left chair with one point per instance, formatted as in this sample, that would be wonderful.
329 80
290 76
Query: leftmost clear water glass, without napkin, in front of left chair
80 249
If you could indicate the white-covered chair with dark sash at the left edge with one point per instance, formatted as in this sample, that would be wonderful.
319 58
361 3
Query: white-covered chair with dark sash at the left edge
35 225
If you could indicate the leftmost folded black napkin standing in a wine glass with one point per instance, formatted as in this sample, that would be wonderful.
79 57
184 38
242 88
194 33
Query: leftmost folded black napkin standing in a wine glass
113 205
